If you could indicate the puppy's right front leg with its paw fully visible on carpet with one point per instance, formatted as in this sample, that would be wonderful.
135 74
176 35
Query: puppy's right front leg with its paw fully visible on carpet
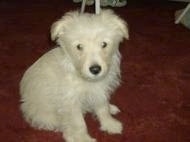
107 122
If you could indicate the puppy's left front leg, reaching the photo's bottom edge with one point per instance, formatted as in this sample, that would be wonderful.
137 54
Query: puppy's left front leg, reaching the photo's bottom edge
74 126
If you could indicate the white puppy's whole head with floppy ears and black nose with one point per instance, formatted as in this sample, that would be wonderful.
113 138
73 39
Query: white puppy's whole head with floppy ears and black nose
90 40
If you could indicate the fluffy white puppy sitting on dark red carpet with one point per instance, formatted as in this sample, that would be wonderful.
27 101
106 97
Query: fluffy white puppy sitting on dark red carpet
76 77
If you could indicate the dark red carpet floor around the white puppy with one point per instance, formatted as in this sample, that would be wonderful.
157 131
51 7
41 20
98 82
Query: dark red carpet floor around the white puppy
155 92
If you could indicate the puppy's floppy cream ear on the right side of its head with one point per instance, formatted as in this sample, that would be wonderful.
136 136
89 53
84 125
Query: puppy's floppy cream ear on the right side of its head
119 23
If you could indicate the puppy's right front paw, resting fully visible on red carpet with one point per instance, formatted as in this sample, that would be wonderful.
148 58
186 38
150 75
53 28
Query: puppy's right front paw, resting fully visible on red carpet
112 126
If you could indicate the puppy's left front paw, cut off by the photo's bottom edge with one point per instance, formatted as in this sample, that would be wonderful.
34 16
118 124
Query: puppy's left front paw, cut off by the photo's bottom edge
80 138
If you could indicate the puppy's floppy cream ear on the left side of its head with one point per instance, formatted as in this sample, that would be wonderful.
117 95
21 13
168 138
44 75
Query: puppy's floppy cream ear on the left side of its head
57 28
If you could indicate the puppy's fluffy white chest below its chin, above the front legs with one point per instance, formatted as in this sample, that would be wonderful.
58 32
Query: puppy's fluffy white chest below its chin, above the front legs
86 94
